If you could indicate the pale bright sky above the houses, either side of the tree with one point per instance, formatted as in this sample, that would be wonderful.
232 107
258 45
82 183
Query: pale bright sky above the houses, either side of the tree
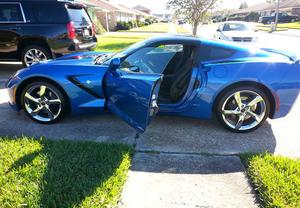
158 6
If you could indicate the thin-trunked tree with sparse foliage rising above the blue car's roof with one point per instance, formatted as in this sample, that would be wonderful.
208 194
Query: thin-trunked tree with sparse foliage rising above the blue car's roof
192 10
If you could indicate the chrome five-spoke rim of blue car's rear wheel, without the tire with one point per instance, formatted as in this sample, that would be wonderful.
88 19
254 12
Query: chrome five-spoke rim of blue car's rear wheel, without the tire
244 110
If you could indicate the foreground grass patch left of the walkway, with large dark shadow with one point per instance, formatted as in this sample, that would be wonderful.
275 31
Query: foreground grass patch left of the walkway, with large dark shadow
43 173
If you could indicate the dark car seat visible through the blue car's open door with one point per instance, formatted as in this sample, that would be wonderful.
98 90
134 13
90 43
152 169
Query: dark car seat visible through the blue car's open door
177 76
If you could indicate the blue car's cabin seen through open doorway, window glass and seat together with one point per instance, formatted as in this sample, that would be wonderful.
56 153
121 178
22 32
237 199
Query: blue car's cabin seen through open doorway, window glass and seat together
174 61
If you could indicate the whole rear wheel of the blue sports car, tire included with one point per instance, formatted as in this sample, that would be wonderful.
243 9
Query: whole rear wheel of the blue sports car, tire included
243 109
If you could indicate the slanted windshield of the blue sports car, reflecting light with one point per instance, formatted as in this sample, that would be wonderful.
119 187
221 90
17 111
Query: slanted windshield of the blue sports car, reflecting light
105 60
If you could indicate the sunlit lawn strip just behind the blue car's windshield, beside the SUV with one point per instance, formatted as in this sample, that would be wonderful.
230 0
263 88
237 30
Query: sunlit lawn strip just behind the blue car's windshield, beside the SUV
118 41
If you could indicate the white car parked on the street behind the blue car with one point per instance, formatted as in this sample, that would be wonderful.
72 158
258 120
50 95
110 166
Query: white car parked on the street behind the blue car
236 31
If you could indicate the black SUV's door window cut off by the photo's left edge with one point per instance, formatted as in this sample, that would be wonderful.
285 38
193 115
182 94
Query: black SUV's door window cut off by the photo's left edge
10 12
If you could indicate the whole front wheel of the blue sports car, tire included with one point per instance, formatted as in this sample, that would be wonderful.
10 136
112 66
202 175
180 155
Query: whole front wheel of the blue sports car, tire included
43 102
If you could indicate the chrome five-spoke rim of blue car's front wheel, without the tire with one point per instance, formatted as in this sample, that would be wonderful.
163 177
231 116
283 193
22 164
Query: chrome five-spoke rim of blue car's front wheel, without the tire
42 103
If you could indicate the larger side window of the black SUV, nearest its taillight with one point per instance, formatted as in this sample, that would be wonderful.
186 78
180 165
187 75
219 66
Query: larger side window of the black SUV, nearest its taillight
46 12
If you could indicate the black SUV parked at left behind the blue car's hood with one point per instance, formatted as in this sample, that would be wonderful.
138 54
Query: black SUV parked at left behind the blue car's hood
37 30
